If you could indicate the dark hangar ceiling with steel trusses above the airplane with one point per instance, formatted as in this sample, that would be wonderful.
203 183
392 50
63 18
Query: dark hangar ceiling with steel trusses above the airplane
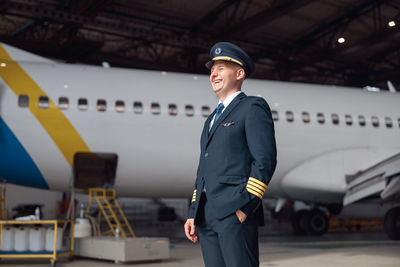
290 40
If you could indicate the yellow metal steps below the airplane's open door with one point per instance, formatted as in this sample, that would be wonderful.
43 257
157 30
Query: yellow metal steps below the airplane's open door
110 209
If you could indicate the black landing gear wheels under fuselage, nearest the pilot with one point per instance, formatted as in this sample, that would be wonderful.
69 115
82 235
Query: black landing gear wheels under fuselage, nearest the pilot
311 222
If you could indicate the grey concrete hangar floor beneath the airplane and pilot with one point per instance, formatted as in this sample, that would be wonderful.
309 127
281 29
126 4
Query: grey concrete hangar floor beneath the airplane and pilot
333 249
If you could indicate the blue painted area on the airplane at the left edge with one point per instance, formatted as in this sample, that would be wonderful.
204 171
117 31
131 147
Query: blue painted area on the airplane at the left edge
16 166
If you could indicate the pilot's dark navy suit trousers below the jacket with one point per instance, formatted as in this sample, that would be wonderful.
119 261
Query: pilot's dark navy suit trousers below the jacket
227 242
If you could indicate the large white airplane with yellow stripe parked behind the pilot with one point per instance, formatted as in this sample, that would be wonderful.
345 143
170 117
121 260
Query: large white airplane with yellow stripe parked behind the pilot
139 131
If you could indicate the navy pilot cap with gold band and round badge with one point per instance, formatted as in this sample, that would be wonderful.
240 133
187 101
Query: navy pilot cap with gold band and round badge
229 52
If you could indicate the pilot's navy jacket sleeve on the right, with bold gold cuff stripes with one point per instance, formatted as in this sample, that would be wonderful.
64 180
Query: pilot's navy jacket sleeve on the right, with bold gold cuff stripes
260 137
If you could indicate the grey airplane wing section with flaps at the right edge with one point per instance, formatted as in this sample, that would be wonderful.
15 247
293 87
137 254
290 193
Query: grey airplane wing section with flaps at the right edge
382 180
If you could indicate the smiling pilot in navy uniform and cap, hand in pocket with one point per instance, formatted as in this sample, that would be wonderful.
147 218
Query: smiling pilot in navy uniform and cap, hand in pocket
237 161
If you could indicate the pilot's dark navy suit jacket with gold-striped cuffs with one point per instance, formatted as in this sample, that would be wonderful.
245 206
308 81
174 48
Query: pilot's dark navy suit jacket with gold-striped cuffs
237 160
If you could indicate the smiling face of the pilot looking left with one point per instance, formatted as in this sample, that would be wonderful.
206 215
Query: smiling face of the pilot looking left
226 78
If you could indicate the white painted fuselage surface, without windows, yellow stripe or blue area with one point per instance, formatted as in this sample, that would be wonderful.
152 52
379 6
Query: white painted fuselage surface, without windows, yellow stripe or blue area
158 154
